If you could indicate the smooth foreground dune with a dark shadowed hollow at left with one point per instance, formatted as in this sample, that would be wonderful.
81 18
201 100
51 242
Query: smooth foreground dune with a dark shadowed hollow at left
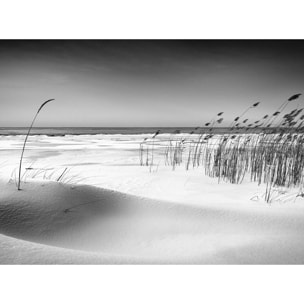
49 223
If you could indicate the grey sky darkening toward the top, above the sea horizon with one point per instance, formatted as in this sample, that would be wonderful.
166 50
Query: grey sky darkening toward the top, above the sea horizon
133 83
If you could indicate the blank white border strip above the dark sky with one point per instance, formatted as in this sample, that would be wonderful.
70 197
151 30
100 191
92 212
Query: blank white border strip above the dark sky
138 19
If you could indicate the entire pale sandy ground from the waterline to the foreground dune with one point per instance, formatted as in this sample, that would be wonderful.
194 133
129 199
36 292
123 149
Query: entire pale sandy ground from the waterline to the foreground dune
110 210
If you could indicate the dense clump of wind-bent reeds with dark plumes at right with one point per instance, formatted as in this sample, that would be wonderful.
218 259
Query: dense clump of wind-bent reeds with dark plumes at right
266 152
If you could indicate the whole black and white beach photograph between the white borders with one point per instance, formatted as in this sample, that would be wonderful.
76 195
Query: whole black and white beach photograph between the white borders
152 152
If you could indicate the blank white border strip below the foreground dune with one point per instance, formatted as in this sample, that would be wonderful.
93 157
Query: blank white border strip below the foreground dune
151 284
